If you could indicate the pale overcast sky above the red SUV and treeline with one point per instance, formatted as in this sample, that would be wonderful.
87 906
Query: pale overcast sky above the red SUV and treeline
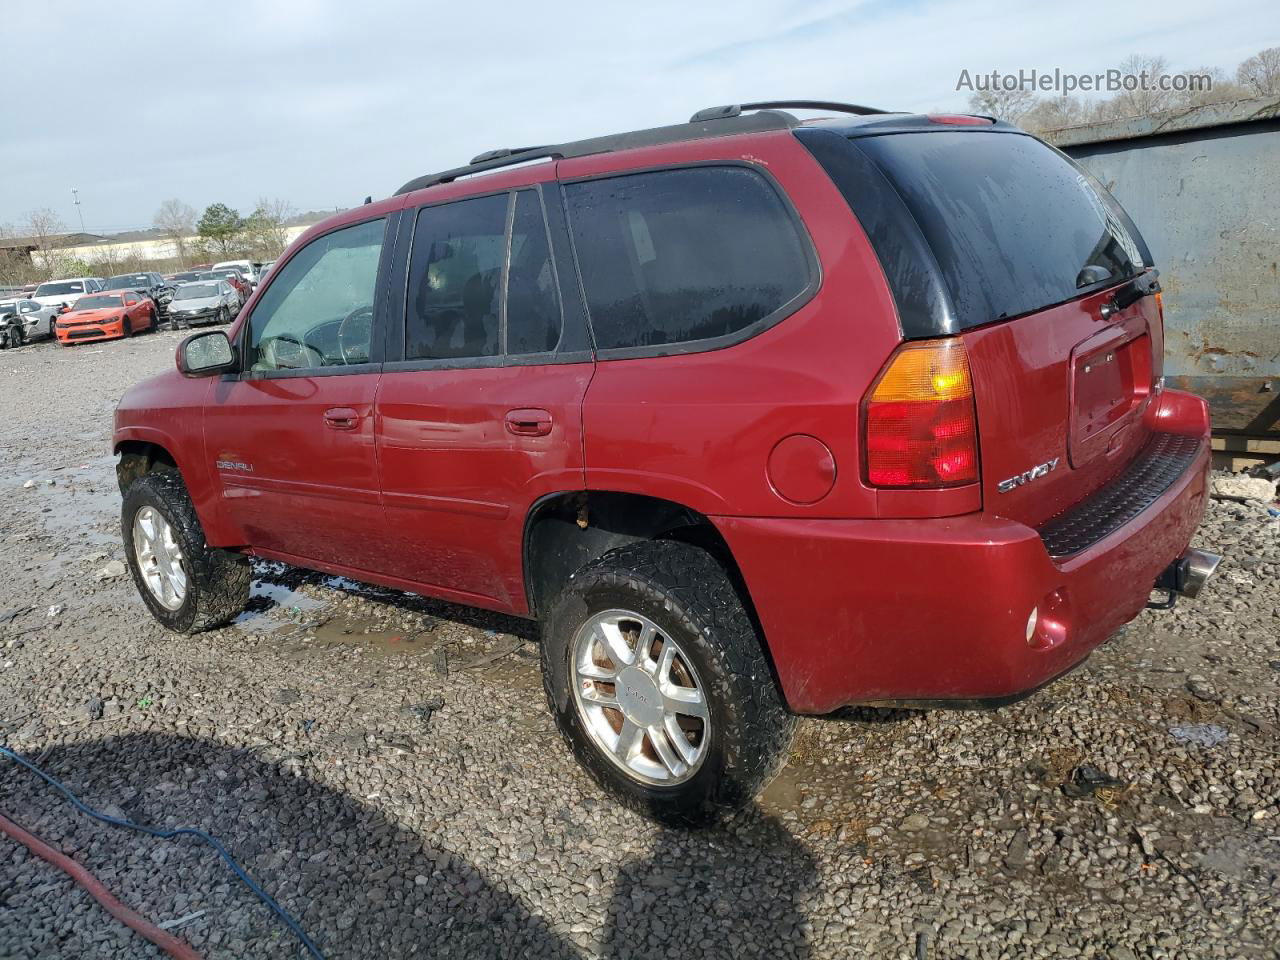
321 103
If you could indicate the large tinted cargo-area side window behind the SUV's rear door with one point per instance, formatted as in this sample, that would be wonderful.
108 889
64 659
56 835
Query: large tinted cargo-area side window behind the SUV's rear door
676 257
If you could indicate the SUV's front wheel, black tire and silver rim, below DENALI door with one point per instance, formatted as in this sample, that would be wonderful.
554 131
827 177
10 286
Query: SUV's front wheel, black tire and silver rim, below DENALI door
188 586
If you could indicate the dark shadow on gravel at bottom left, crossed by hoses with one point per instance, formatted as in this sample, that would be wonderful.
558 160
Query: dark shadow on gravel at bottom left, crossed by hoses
360 884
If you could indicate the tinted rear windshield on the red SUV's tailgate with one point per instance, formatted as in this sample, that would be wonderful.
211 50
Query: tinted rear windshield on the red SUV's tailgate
1014 226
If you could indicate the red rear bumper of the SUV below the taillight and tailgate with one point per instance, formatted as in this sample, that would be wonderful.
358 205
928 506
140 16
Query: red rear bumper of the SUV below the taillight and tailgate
861 611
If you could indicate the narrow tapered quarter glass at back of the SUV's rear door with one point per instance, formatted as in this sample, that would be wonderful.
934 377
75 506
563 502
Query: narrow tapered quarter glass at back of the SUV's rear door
533 303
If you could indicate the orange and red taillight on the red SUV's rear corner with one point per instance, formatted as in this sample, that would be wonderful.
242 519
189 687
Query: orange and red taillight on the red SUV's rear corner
920 423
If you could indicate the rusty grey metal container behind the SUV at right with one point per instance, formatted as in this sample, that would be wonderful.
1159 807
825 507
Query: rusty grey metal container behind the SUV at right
1204 186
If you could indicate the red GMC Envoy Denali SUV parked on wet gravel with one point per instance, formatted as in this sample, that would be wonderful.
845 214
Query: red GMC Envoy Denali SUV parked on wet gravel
757 417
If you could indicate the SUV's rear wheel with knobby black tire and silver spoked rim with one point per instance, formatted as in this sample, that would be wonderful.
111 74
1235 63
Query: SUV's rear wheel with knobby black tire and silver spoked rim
682 734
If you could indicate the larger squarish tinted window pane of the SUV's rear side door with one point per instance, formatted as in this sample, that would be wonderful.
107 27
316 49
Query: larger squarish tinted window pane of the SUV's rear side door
455 276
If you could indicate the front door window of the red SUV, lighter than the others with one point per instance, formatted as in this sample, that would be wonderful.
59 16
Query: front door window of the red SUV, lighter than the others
319 310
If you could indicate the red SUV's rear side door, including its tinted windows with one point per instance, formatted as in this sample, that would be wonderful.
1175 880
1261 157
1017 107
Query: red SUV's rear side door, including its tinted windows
479 410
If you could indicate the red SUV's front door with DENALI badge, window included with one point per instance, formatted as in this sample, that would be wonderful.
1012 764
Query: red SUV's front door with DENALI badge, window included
292 438
